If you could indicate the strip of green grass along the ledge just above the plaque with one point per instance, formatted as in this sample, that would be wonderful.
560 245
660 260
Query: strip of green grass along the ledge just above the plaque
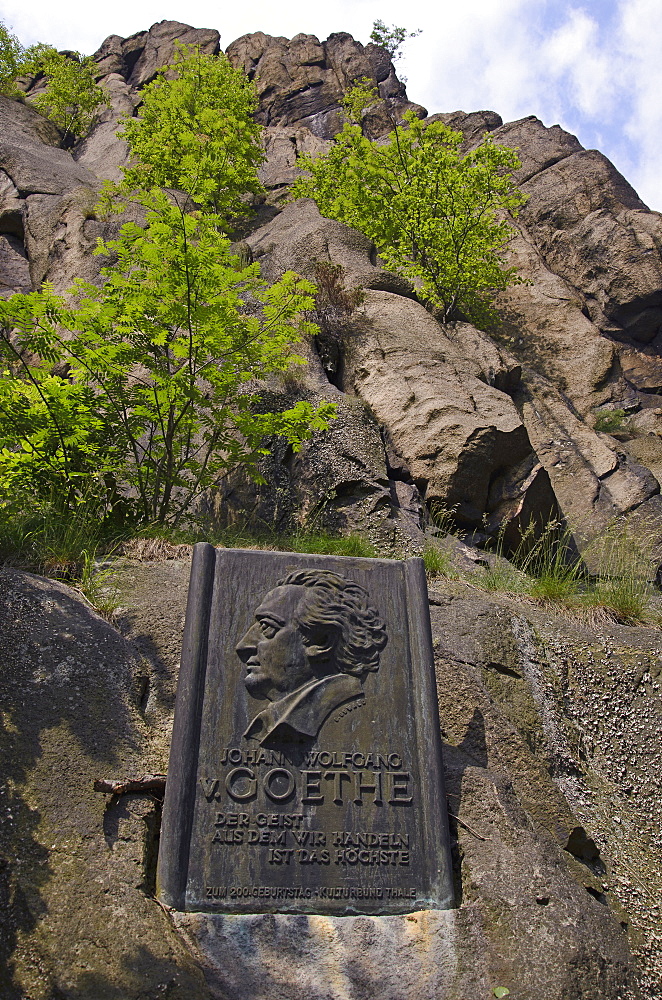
545 569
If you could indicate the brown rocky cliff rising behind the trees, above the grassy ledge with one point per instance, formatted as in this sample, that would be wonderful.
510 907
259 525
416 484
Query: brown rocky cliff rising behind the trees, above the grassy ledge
499 428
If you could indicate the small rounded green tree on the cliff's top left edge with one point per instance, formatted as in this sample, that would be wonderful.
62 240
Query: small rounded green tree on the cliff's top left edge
72 98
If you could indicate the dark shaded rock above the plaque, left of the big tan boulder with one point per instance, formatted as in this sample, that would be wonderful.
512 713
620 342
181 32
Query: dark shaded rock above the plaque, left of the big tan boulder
340 482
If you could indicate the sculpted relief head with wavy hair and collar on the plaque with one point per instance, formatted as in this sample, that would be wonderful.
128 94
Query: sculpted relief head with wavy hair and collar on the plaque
315 639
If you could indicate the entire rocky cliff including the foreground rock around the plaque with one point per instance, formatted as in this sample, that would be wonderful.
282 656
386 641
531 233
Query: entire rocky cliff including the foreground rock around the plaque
548 725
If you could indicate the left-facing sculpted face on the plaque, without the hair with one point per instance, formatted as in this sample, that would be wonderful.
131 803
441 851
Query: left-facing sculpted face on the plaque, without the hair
277 658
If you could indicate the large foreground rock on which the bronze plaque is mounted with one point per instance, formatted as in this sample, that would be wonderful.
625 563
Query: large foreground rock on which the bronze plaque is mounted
549 730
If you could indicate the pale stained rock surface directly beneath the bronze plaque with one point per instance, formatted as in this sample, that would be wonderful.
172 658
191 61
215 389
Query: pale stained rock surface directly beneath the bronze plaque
319 958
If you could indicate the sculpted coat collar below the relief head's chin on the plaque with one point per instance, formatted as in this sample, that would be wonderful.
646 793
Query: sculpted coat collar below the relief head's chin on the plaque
303 712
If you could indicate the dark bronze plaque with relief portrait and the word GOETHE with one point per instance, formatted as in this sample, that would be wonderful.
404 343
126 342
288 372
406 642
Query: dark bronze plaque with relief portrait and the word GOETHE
305 773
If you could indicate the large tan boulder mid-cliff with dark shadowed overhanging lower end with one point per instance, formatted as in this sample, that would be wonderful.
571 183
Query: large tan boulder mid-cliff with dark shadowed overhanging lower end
453 429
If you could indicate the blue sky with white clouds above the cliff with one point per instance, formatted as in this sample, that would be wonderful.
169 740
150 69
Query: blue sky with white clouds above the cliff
593 68
